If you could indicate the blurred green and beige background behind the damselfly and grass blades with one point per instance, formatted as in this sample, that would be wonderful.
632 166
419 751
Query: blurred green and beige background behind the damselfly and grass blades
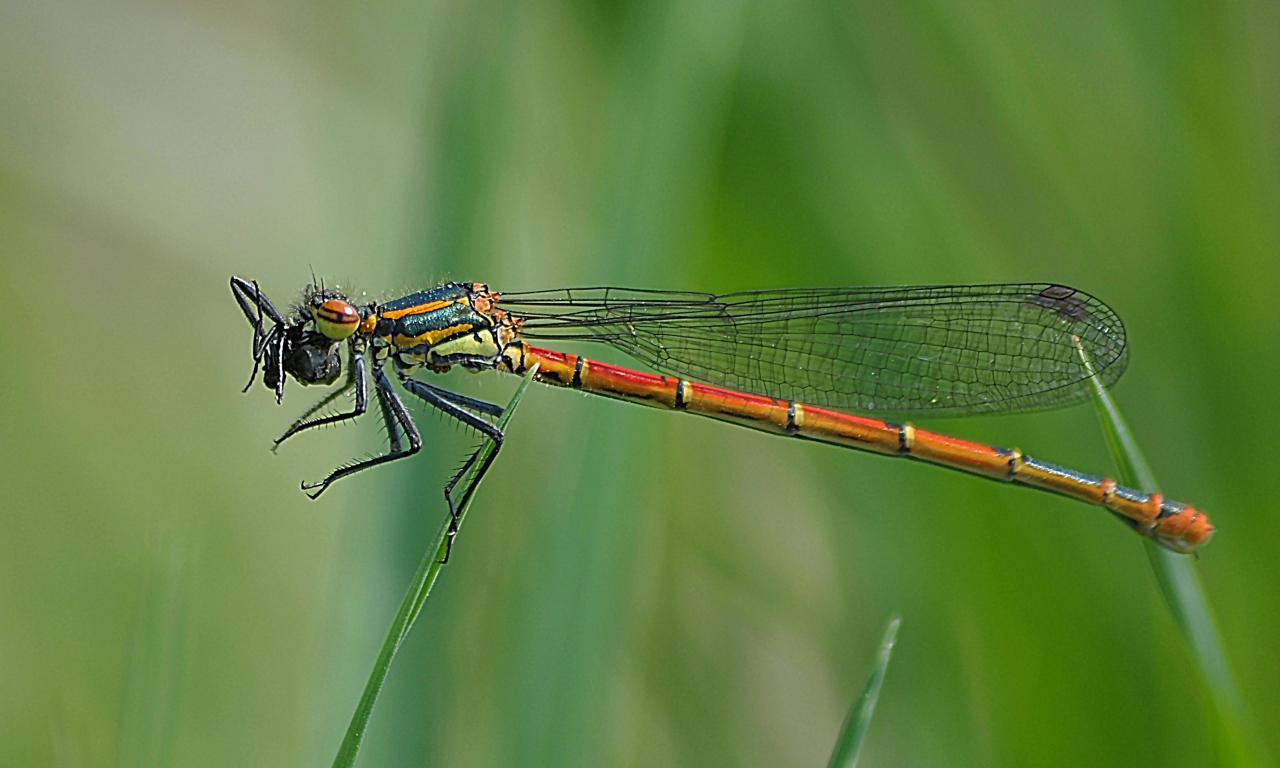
634 588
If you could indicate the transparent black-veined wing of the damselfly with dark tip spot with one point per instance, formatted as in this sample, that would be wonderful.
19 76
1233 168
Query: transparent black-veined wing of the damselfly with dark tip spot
950 350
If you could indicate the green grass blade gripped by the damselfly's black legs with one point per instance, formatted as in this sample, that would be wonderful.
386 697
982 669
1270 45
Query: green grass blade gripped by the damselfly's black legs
410 607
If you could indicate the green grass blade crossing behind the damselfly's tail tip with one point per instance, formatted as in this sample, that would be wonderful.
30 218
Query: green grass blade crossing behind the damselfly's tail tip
1185 593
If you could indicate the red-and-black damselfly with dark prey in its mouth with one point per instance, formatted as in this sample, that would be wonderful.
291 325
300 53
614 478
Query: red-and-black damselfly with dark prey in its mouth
787 362
